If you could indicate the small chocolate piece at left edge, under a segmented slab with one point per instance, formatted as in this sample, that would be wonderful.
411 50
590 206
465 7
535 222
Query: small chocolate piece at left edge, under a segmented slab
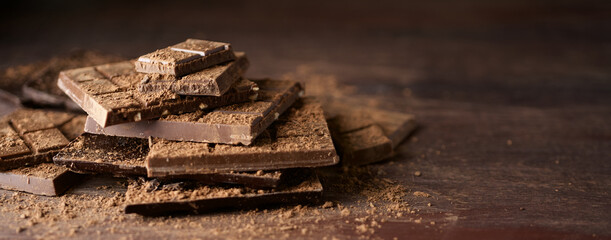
42 179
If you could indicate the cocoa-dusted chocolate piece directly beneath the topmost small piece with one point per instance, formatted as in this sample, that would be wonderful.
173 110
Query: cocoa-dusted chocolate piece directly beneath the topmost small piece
212 81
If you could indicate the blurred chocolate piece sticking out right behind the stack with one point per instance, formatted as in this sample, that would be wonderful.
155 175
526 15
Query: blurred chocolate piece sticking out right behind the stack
367 135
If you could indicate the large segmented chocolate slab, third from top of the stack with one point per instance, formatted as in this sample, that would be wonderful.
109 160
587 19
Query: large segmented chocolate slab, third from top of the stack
107 93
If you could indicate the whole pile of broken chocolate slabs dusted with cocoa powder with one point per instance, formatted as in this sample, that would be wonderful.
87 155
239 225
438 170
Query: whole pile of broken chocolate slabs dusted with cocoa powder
192 133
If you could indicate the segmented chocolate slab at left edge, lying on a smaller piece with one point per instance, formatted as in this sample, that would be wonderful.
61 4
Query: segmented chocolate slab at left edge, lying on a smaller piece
30 136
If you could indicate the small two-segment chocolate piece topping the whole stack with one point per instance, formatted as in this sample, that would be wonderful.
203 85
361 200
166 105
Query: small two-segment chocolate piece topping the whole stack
187 57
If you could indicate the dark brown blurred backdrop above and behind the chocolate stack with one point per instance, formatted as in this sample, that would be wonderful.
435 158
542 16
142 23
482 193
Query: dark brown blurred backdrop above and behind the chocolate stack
443 49
